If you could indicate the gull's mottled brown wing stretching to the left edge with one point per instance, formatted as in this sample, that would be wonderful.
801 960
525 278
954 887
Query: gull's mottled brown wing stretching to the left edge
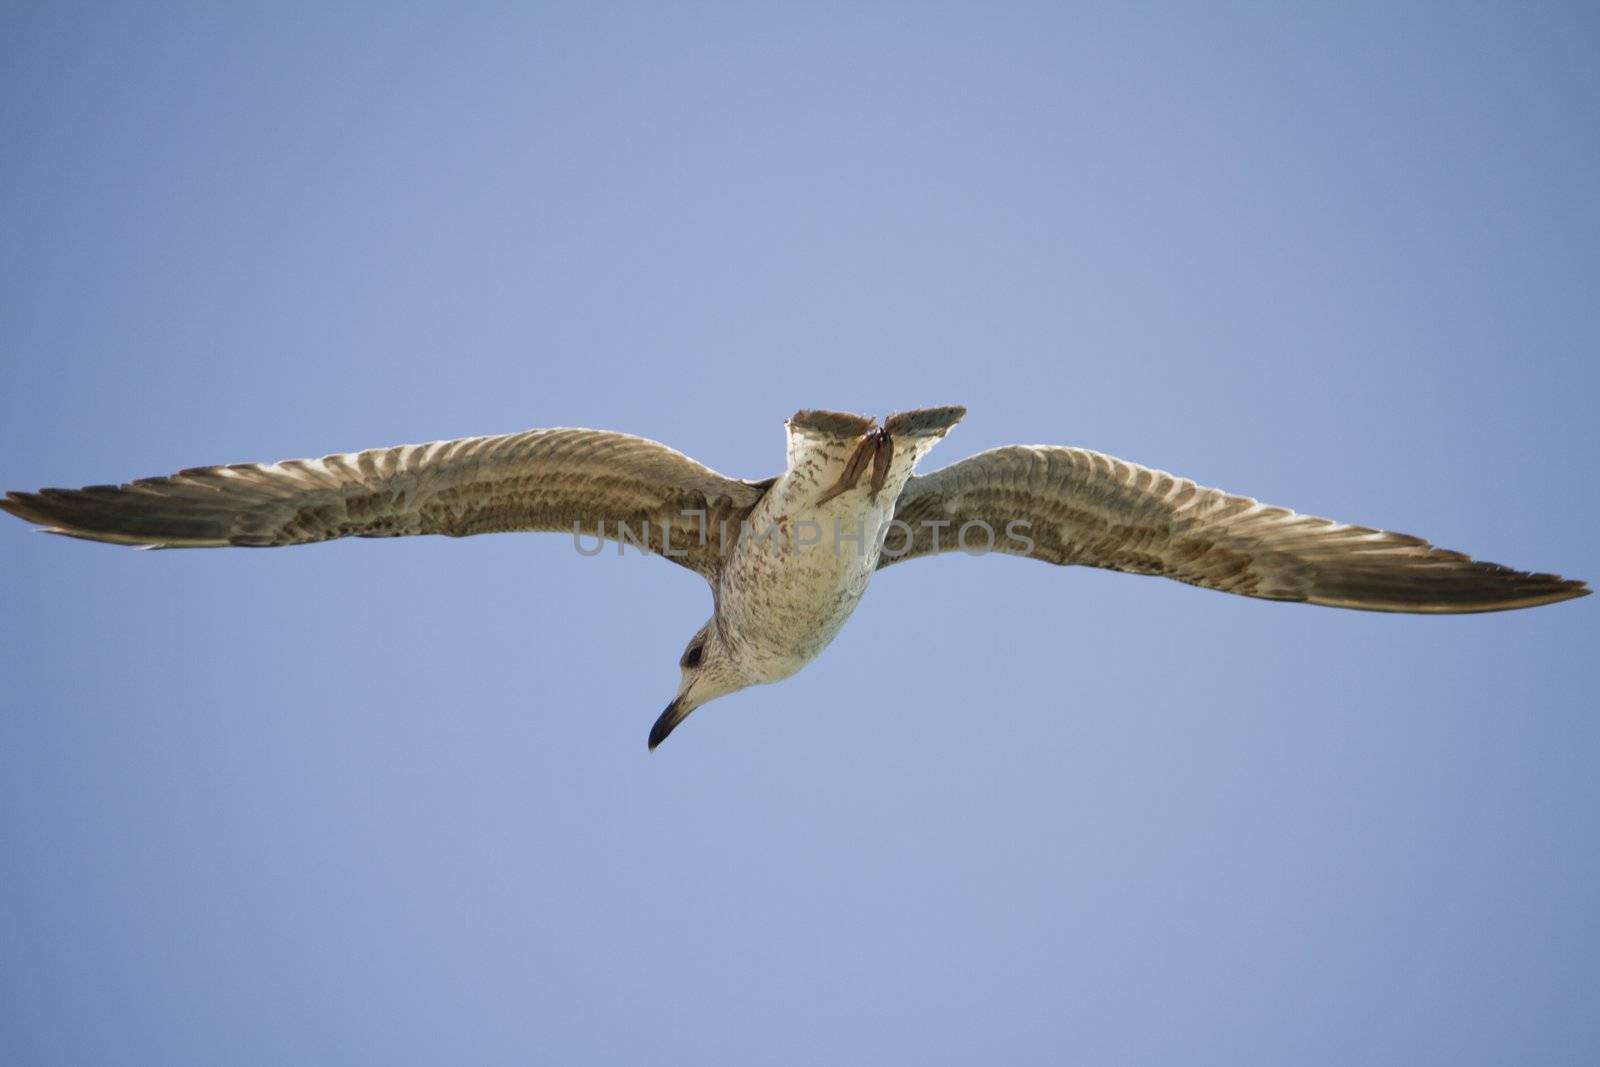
594 482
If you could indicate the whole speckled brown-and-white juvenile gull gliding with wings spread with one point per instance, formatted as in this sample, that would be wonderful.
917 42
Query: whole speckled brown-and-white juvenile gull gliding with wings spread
790 559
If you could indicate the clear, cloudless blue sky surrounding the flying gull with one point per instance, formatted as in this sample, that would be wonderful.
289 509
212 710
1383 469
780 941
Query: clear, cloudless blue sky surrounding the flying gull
390 802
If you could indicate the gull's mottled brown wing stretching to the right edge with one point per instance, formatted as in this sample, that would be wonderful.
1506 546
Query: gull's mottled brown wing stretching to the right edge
1086 508
